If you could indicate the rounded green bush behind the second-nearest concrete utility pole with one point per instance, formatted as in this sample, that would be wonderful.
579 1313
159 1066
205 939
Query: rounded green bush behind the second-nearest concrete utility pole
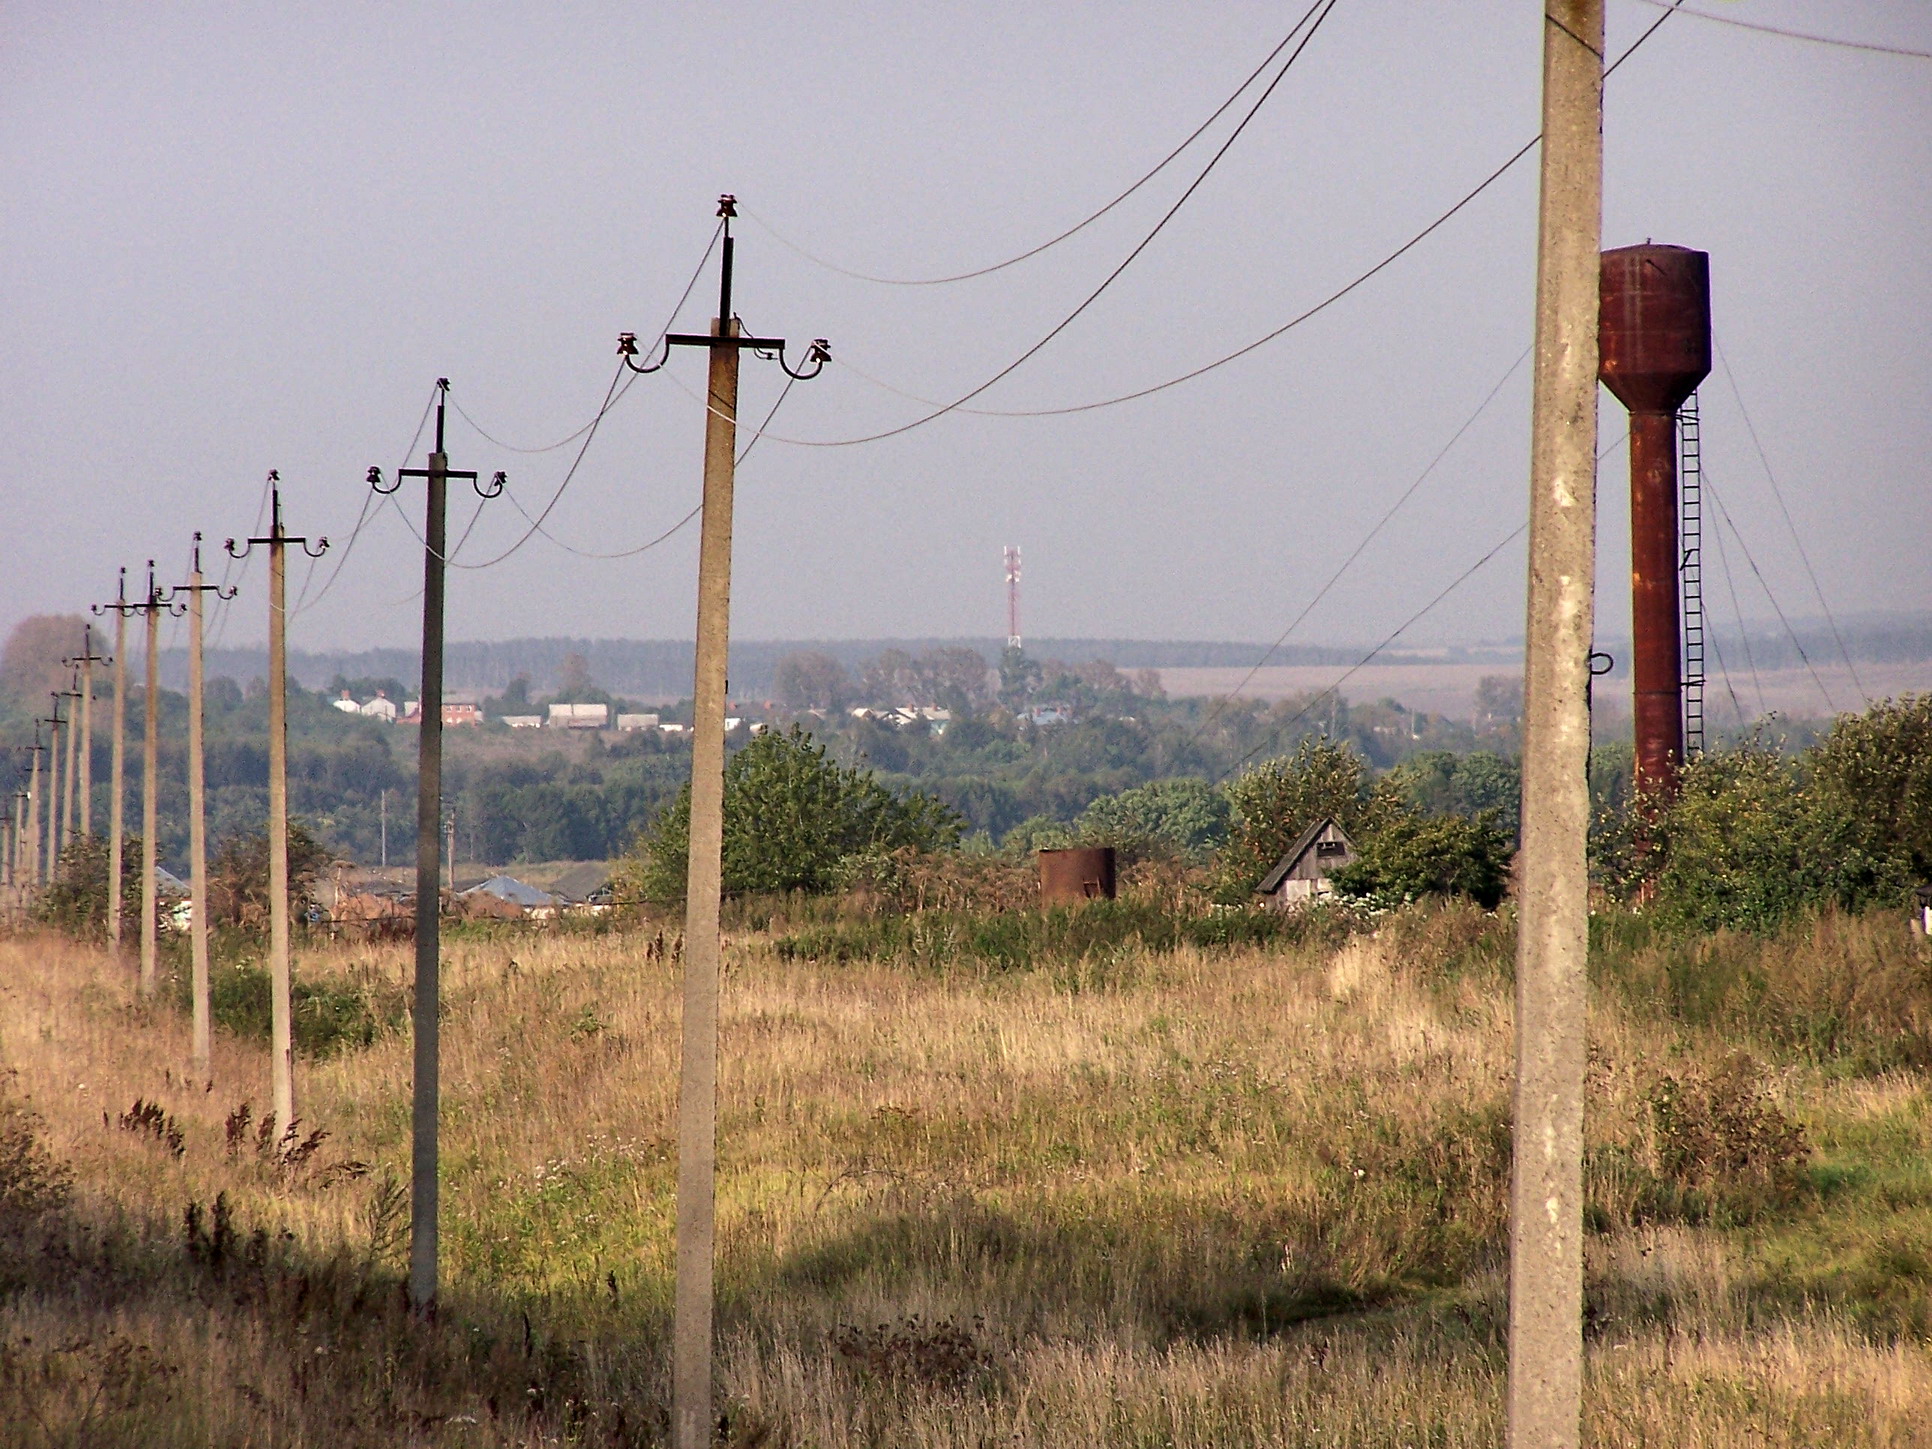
791 820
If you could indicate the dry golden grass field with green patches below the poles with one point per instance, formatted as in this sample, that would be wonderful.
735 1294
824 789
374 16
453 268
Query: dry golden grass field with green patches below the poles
1230 1197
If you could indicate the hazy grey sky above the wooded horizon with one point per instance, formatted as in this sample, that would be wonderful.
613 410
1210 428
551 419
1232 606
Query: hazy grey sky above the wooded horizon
252 237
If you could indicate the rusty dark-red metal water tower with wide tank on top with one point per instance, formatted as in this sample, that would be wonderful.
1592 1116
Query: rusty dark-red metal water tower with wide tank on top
1655 349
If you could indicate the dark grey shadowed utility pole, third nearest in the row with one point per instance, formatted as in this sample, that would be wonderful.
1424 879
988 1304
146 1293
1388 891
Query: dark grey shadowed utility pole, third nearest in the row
426 1106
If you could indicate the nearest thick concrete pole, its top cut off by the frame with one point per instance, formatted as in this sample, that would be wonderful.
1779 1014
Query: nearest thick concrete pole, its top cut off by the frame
1554 923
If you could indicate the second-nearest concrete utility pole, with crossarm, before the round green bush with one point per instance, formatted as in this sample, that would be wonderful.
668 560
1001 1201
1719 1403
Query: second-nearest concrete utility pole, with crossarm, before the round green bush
691 1373
